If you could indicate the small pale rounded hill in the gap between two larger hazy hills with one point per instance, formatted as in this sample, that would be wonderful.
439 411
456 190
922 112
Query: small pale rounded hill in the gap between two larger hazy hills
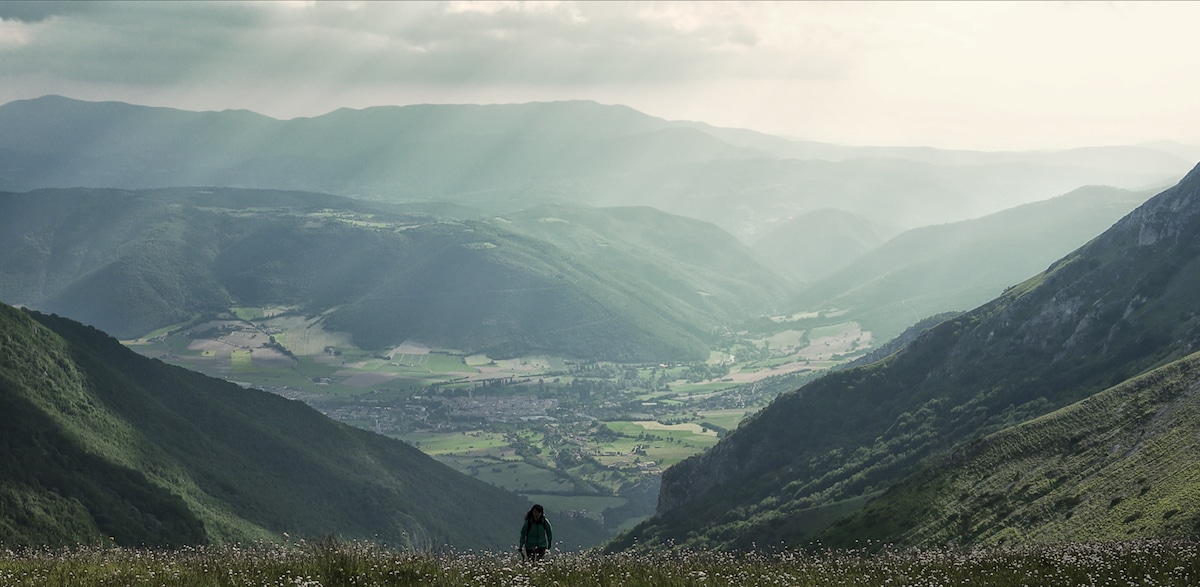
813 245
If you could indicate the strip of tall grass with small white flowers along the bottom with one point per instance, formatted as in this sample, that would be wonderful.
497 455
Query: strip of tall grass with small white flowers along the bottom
333 565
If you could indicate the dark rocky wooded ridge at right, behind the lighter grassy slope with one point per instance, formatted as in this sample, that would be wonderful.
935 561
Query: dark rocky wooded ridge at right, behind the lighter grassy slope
1119 307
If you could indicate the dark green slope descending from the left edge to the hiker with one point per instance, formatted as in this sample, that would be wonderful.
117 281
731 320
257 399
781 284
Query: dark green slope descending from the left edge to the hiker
101 444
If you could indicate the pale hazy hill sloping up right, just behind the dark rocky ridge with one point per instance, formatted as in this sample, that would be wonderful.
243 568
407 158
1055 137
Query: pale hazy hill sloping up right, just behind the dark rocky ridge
961 266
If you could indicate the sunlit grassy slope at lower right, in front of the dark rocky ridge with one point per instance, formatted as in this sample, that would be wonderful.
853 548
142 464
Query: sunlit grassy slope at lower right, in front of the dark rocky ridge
1121 464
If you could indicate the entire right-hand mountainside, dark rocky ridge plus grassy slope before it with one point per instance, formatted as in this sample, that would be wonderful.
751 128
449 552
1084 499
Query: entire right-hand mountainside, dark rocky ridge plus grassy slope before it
1113 310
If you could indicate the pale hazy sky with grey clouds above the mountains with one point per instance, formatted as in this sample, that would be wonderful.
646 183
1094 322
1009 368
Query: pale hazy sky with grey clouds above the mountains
957 75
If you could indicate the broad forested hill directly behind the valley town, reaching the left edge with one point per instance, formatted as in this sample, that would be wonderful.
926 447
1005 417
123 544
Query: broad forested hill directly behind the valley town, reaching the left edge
133 262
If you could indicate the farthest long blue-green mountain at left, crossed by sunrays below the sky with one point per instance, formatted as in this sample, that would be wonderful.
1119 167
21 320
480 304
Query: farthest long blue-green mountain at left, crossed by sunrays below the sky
418 152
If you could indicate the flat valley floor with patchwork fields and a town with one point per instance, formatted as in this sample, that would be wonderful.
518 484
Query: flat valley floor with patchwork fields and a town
586 438
